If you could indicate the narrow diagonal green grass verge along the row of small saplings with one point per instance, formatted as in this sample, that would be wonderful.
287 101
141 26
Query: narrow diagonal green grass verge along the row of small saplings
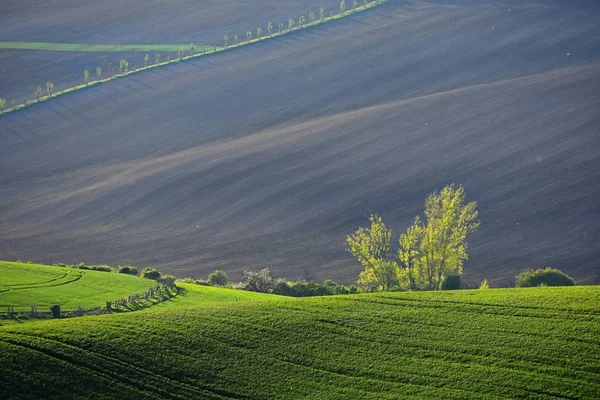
204 51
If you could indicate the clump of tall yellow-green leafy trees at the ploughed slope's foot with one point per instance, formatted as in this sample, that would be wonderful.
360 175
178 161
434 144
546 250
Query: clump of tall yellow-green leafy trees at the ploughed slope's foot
428 252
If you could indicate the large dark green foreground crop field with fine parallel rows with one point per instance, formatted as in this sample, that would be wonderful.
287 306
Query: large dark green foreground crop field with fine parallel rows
500 343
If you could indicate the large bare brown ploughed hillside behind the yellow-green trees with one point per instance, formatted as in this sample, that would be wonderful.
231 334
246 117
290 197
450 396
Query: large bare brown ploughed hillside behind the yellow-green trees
270 156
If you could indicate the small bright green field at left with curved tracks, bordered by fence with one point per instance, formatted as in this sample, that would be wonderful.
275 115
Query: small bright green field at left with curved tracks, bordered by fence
25 285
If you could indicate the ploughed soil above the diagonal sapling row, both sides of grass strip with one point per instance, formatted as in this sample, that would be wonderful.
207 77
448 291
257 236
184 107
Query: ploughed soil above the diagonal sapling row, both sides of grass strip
118 22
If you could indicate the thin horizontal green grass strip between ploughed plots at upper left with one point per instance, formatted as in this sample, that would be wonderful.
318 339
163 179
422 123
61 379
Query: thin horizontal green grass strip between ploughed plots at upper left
91 47
